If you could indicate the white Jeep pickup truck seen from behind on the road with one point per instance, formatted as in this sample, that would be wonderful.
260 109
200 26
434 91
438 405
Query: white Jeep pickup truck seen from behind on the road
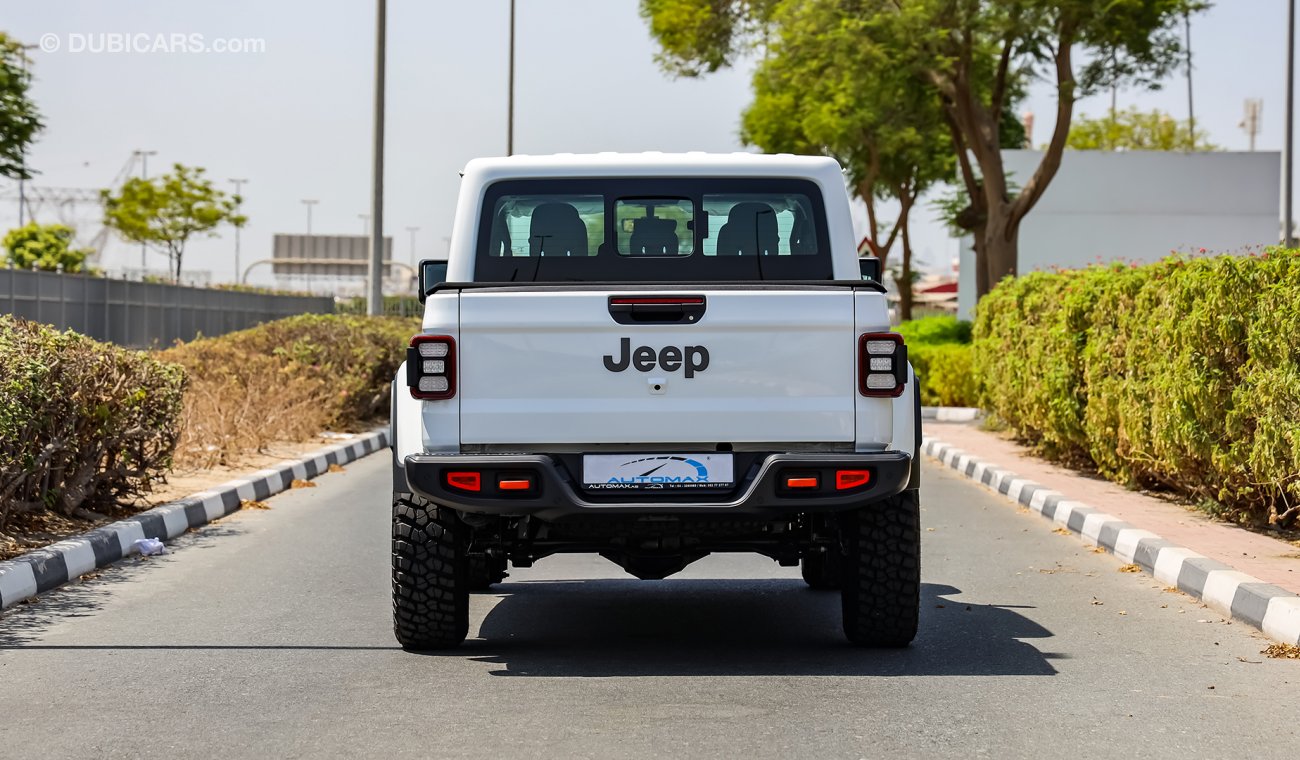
655 358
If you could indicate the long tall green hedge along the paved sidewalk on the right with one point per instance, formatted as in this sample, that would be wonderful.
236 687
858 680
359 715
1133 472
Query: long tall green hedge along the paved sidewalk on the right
1184 375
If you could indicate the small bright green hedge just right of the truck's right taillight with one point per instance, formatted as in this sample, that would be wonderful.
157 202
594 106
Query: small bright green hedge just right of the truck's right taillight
941 353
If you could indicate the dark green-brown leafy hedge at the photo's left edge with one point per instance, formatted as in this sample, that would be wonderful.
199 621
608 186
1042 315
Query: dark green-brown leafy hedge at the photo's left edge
81 422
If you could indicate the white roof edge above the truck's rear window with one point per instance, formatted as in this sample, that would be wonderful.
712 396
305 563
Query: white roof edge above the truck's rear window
653 166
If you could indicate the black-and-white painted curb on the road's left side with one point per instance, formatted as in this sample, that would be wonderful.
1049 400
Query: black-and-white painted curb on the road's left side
54 566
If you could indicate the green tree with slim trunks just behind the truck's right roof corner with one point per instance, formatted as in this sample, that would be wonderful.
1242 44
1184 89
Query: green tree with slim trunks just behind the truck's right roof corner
809 98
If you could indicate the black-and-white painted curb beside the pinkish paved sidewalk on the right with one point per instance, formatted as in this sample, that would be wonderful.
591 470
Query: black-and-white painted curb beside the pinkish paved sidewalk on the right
1264 606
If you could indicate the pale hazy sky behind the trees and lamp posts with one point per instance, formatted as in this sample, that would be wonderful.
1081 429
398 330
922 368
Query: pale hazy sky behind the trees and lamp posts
289 103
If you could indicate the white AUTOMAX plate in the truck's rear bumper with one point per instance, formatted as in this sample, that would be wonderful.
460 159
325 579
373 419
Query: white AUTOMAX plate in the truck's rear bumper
657 472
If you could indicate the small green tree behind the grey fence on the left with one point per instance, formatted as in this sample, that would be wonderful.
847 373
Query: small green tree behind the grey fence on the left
170 211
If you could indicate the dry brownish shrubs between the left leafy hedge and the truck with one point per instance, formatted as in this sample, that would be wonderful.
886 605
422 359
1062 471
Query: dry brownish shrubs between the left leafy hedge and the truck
285 381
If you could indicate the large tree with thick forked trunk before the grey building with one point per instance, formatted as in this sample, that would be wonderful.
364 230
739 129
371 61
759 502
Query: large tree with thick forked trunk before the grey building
974 55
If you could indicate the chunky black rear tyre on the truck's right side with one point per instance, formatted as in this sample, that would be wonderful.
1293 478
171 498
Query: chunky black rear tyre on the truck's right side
881 580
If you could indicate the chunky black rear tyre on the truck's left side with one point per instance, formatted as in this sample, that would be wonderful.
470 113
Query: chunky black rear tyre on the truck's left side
431 590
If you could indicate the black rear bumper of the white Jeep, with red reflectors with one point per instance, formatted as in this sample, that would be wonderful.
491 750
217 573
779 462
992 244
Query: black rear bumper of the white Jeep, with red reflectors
558 494
